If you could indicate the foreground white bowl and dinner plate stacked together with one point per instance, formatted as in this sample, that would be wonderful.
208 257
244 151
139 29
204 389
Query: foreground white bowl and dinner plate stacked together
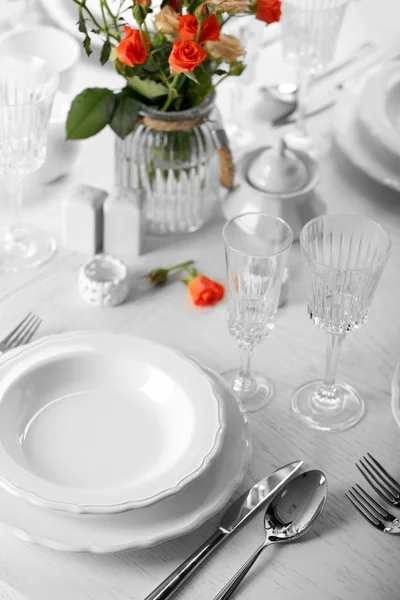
110 442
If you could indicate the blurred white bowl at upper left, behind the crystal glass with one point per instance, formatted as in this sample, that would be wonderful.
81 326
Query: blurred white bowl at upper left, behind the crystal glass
59 49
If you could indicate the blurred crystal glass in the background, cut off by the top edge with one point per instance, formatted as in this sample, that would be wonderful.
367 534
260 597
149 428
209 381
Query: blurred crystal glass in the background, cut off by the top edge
310 30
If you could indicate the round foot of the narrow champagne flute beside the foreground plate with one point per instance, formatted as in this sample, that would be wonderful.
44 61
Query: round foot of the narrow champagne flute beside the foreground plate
253 397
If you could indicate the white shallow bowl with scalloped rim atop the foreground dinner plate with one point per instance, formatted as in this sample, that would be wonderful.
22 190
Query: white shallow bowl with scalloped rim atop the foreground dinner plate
102 423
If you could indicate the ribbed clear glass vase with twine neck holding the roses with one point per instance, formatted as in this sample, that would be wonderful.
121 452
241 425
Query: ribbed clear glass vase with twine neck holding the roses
173 158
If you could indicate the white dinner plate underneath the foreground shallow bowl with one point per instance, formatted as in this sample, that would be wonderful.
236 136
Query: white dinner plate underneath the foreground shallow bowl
144 527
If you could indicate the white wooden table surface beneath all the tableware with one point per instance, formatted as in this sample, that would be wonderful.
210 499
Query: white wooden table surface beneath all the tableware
343 558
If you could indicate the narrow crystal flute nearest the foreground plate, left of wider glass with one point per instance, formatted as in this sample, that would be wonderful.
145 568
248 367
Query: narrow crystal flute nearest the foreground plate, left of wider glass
257 247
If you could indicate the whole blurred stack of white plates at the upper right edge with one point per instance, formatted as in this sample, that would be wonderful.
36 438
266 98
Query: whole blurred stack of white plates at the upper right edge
367 126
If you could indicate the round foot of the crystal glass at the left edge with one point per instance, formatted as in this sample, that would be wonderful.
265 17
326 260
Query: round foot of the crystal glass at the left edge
24 247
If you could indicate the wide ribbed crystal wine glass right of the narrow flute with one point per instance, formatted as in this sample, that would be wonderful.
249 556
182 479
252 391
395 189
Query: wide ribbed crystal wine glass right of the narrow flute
344 256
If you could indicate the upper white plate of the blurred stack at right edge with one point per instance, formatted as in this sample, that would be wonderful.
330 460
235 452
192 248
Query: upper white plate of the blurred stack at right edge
379 109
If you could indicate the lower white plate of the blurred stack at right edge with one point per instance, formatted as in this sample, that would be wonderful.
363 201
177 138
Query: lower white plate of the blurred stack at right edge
359 148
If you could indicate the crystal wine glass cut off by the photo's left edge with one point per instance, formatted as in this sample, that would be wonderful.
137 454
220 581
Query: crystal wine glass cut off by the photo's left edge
27 88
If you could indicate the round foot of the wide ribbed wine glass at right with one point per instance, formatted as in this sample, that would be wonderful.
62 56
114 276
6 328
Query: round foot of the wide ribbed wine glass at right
343 413
